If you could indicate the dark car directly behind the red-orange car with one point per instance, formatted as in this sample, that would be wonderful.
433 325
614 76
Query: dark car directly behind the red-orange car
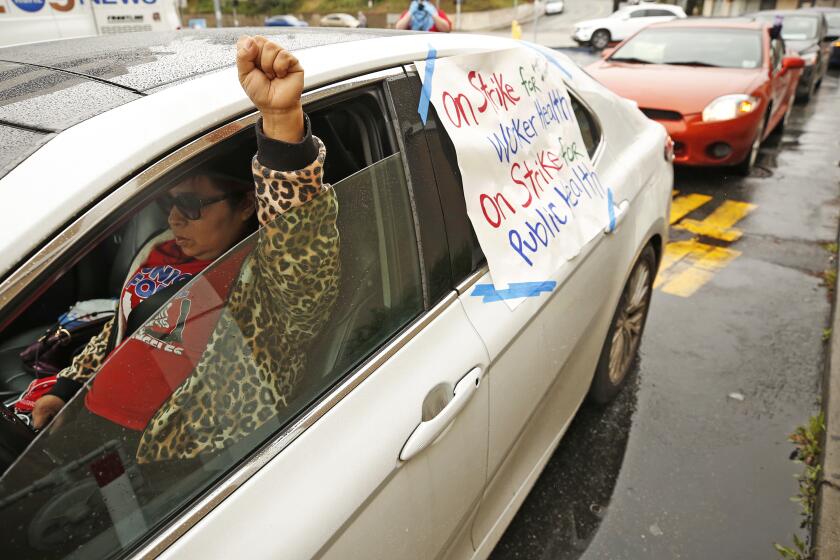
805 32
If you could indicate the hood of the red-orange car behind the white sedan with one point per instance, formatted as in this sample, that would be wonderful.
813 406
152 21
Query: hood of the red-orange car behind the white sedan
686 89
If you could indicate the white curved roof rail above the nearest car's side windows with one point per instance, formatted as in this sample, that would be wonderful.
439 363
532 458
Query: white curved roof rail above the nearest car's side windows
76 168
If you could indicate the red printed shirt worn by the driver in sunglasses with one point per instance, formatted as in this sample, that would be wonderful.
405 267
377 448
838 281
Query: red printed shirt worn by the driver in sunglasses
143 372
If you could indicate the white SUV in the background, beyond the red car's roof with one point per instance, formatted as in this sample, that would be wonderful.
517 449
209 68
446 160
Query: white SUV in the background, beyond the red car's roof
621 24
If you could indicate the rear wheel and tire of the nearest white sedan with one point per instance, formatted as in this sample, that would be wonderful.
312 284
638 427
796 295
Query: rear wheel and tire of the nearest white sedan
626 329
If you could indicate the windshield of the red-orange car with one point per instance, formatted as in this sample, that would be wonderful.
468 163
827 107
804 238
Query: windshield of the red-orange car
726 48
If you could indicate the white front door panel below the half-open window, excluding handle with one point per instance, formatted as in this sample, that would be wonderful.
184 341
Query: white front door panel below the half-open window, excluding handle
340 491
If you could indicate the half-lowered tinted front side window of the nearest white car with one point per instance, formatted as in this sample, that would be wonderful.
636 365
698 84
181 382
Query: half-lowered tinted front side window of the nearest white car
231 359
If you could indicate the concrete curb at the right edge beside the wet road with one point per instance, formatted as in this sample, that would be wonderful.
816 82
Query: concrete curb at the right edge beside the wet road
827 527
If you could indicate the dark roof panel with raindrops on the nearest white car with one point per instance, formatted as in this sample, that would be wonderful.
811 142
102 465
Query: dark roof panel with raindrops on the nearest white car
48 87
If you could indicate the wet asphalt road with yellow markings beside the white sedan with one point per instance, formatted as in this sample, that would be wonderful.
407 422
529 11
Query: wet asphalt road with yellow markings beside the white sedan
675 467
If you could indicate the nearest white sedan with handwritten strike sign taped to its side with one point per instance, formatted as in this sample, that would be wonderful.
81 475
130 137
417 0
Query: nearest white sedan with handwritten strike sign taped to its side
482 393
